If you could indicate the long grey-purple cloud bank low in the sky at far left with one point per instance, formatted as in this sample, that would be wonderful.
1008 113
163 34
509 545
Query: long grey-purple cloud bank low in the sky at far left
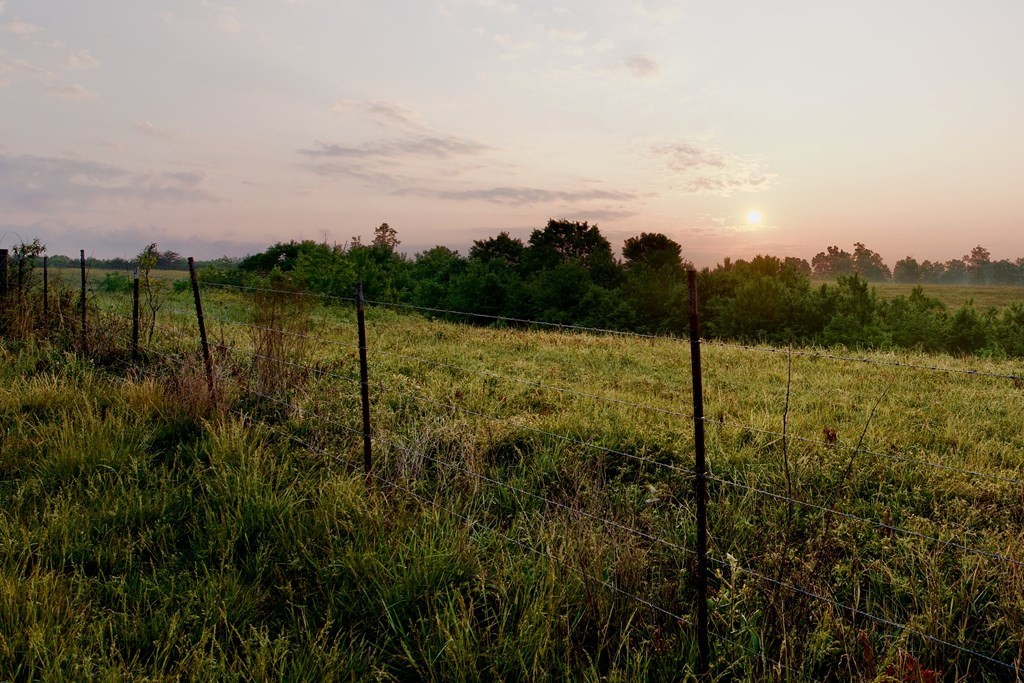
32 183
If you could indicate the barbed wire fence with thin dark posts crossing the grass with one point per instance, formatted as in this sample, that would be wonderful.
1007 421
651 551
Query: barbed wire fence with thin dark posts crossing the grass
695 546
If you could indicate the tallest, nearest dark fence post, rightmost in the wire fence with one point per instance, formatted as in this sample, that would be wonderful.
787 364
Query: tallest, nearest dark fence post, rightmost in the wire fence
700 483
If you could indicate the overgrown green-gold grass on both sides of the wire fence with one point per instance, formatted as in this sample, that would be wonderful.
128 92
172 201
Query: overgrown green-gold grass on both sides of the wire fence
531 513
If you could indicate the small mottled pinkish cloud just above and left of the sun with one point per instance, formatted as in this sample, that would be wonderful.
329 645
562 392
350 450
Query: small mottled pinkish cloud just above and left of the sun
709 172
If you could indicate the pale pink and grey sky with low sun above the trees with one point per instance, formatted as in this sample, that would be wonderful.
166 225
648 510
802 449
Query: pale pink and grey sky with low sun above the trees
218 129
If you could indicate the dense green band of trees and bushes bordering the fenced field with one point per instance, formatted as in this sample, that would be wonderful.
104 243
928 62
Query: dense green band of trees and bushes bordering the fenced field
568 273
